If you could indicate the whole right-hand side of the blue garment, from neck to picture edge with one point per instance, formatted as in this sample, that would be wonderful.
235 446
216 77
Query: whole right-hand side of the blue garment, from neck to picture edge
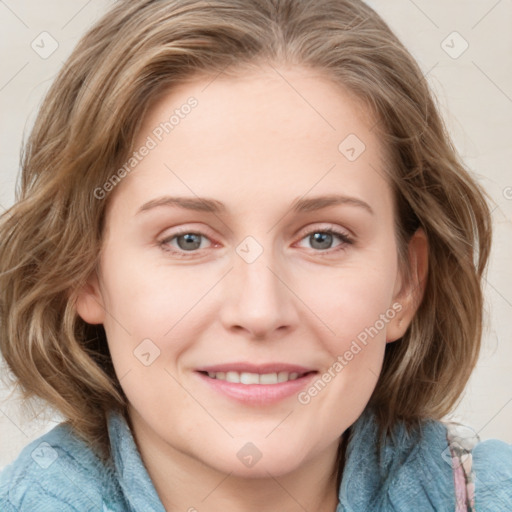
416 465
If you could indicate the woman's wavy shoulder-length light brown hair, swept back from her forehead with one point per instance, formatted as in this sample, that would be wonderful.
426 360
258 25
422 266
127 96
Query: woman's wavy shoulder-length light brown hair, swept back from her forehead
85 129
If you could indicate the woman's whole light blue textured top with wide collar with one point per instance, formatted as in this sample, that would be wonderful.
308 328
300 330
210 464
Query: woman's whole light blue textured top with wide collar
59 473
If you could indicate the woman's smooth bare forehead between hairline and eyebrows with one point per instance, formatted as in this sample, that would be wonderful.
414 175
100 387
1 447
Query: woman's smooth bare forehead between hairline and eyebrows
273 134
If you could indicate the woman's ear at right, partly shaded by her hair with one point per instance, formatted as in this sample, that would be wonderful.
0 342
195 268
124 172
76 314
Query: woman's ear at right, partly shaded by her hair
409 294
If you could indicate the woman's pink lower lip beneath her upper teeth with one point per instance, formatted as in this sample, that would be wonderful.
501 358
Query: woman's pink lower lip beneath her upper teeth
258 394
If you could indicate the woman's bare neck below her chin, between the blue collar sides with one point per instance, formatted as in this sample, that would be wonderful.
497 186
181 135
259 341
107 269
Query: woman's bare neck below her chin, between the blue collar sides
185 483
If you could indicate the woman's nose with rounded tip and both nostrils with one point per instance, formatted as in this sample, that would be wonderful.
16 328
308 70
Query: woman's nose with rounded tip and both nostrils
258 300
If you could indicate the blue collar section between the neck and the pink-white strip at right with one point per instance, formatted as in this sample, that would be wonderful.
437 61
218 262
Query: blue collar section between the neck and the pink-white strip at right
396 472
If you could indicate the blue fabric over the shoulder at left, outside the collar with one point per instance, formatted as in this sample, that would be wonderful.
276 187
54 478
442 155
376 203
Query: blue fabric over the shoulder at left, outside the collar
57 471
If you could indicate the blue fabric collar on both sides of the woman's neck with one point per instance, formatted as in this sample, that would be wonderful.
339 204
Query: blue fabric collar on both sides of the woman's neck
403 472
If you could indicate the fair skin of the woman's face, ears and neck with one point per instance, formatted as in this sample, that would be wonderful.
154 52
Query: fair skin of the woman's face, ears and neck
256 145
